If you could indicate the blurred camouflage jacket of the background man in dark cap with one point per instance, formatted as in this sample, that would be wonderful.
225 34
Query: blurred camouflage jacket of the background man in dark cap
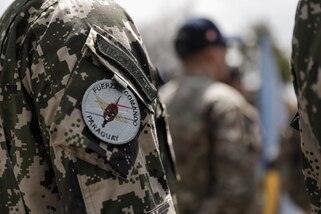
216 137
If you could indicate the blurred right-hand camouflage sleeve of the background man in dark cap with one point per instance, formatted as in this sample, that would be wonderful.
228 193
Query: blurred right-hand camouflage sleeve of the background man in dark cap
234 159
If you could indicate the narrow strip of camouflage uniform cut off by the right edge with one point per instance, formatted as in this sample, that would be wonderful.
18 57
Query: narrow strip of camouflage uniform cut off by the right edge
306 65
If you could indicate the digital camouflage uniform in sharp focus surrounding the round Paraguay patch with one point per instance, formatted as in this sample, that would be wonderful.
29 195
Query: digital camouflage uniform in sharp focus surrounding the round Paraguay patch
50 162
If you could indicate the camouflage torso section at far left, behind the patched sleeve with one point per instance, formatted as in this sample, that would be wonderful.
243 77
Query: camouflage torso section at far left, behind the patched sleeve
24 182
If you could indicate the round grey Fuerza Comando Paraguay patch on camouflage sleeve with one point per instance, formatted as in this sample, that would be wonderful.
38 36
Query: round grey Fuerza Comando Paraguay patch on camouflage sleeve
111 112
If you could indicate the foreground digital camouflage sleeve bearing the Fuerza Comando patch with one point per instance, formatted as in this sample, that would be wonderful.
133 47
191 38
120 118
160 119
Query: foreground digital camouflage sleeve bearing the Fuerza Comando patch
60 60
